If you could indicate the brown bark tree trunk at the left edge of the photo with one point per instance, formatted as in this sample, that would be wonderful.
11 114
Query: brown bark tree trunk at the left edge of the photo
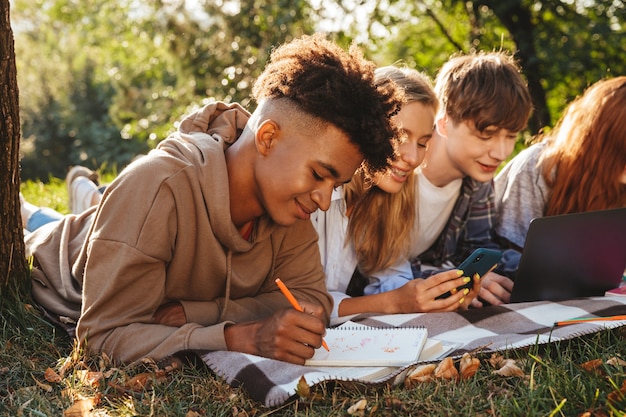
13 264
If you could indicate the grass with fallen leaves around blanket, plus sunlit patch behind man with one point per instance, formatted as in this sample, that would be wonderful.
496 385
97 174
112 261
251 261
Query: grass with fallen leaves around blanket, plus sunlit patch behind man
555 383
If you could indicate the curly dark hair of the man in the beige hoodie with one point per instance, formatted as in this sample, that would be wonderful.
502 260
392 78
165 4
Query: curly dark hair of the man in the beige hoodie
338 87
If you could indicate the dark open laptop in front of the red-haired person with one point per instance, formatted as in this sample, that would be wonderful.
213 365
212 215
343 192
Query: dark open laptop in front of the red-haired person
572 255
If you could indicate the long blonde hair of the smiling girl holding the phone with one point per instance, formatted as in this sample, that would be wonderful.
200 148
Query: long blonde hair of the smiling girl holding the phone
381 224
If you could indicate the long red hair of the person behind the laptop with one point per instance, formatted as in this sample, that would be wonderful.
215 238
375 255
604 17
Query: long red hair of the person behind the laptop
586 151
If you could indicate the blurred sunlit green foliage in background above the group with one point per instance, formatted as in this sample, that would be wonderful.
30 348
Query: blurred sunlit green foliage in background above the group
102 81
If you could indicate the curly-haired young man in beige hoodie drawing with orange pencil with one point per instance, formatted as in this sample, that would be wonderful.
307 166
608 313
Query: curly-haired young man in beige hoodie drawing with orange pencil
184 248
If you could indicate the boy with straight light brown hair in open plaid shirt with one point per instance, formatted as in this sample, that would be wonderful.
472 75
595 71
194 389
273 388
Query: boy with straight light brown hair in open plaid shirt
485 103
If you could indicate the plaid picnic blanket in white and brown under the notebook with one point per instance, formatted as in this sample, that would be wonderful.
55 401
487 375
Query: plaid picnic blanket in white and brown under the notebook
494 328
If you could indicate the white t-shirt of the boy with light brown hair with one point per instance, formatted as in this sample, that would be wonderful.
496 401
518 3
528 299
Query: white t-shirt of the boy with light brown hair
435 205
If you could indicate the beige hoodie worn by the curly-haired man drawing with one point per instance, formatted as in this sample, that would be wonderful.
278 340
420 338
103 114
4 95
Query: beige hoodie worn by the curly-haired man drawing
163 233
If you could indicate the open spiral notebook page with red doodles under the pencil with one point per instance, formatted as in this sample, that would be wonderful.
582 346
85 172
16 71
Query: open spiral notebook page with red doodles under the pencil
370 346
